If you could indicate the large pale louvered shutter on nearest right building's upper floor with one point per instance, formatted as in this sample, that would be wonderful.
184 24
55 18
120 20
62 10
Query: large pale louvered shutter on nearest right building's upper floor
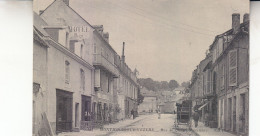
233 68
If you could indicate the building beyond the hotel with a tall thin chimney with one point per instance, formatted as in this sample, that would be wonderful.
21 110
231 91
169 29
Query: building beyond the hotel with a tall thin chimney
126 86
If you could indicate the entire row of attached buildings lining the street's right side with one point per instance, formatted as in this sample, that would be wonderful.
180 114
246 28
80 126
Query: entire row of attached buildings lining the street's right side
221 85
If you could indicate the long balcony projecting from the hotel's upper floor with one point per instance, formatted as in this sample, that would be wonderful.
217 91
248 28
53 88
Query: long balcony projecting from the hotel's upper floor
101 62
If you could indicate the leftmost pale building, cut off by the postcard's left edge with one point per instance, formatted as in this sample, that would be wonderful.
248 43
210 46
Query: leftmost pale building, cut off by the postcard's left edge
40 48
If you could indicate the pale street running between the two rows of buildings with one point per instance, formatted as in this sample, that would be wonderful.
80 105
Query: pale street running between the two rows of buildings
144 125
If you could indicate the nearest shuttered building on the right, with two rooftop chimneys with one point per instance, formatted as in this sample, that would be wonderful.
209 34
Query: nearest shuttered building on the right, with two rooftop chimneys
231 67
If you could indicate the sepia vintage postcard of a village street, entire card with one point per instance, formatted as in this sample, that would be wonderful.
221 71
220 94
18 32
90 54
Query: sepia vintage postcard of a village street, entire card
141 68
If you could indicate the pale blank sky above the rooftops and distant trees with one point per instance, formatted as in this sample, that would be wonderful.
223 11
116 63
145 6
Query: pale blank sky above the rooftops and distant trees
165 39
